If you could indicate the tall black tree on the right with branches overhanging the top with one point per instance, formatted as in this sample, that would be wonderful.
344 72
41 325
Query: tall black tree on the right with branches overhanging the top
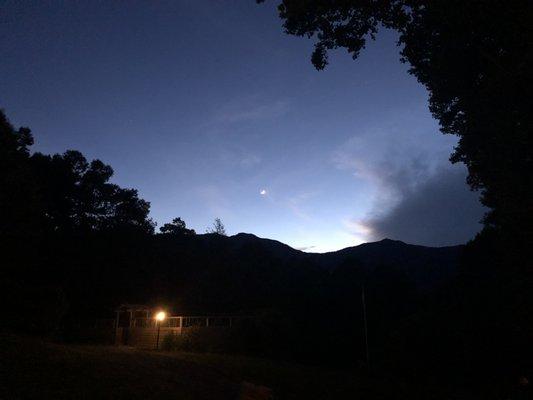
474 58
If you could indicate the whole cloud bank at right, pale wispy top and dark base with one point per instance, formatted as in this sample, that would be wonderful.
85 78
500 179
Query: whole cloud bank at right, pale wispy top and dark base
416 189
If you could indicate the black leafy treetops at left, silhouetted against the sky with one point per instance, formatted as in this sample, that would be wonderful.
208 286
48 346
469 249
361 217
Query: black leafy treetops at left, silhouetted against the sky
61 192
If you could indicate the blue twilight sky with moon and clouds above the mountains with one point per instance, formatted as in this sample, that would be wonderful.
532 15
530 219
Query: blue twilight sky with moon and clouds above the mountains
210 110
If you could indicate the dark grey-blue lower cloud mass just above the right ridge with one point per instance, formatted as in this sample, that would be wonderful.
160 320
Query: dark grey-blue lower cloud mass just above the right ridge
441 210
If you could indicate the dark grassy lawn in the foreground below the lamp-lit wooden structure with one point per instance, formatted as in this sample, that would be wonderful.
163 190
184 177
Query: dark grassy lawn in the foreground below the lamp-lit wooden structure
33 369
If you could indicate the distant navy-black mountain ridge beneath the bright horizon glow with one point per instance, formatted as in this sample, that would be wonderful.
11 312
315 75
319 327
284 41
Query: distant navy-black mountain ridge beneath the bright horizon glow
424 266
